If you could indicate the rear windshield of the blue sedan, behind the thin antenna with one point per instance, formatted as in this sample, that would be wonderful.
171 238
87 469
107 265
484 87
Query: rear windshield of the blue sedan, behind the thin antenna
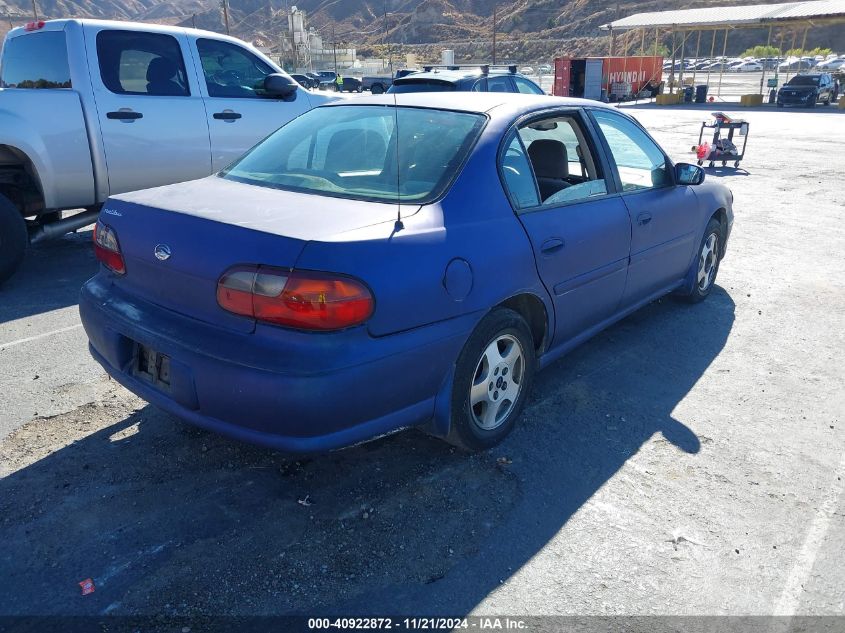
350 152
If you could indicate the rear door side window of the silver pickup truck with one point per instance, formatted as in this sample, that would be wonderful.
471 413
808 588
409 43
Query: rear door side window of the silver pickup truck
138 63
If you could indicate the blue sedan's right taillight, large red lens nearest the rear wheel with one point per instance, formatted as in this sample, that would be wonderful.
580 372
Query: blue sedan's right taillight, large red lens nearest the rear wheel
299 299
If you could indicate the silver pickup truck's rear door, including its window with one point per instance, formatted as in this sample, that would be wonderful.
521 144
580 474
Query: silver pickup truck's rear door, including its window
150 113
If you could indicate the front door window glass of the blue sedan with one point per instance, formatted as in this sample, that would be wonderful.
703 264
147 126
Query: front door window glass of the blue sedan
640 162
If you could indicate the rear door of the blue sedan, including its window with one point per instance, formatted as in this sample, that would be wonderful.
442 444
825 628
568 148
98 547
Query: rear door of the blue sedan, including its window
580 234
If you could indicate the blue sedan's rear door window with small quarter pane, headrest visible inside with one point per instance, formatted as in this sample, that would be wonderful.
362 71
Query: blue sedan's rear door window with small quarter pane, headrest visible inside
562 162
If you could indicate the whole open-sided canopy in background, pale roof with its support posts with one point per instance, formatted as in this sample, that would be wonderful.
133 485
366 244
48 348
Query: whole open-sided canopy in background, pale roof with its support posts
780 19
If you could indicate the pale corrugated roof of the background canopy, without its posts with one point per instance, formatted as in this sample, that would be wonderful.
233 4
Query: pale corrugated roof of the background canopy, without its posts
815 12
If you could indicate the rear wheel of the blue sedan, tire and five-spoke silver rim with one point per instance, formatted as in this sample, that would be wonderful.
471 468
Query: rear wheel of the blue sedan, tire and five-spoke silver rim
493 377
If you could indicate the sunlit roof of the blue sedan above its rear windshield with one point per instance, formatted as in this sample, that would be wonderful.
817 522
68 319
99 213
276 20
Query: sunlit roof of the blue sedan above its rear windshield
477 102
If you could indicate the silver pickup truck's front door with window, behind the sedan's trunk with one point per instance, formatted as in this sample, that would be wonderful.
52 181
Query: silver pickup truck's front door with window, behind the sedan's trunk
239 113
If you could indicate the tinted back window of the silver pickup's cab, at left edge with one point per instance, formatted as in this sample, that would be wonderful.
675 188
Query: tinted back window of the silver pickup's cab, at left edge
35 60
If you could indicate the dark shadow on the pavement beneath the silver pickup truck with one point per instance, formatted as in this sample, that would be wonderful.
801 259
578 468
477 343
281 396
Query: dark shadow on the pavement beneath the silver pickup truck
49 278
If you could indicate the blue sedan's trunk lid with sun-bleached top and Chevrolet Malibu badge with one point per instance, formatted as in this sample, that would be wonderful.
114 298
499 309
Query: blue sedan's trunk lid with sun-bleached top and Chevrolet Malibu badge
210 225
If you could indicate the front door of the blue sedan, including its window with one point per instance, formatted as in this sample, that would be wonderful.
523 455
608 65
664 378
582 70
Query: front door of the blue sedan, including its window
663 215
